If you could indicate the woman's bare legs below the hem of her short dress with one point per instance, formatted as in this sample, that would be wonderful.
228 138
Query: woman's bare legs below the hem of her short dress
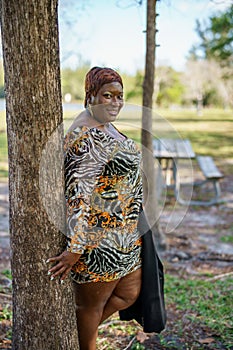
95 302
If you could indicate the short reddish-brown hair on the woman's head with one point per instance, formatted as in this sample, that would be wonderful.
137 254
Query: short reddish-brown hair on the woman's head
97 77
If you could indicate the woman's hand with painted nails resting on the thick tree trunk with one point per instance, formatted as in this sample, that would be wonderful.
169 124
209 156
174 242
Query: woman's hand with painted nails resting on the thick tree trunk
64 263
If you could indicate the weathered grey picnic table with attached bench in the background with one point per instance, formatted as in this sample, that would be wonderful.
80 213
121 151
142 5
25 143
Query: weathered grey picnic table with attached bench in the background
169 152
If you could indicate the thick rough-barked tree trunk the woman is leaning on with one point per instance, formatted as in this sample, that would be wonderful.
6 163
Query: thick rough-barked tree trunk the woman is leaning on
43 310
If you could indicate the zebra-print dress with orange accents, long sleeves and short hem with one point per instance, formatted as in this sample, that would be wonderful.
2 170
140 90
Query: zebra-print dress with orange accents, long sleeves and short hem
103 190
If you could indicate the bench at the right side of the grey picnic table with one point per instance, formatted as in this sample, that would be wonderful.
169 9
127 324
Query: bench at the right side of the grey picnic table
212 175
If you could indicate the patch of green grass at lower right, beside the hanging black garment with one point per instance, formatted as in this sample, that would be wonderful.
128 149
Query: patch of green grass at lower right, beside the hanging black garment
205 302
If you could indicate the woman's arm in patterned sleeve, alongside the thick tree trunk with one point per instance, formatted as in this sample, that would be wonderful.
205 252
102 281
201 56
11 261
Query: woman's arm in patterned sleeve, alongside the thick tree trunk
82 166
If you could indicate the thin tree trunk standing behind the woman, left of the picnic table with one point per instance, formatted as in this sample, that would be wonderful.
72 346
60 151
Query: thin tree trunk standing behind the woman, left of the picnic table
150 178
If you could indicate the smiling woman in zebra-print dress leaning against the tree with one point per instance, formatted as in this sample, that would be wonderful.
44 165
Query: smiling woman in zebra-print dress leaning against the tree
103 190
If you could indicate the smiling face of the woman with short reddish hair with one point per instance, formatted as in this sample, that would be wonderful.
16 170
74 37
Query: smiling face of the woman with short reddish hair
108 102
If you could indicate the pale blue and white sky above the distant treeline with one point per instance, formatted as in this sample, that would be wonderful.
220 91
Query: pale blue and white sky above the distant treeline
111 32
